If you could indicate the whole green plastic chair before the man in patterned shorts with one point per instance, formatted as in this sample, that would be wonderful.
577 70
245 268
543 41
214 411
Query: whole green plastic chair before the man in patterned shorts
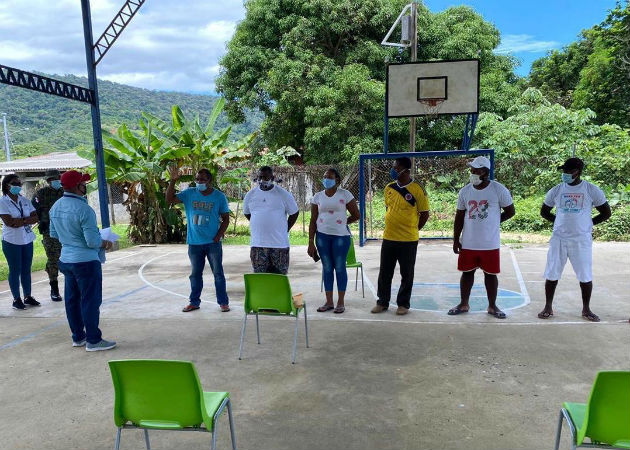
270 294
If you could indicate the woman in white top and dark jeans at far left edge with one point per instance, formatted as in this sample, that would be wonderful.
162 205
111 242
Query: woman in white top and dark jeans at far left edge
18 215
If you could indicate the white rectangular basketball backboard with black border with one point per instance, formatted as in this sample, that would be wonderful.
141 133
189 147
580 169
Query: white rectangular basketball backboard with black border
430 88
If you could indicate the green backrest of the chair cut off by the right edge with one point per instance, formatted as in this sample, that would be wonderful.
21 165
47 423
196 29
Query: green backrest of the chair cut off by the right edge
607 416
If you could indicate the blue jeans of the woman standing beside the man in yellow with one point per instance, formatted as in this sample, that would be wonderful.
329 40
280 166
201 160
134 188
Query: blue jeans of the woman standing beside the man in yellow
333 251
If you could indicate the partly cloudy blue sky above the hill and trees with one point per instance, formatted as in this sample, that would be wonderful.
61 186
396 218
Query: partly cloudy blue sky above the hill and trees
175 45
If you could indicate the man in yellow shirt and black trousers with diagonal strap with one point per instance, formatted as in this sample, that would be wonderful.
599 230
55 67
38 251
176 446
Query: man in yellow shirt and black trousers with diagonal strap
407 211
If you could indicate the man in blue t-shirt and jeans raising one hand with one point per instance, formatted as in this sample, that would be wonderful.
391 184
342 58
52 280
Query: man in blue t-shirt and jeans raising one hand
207 217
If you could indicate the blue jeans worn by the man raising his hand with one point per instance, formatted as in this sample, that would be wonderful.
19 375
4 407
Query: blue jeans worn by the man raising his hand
197 255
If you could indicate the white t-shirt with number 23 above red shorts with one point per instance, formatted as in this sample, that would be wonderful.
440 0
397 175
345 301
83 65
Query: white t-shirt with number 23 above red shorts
483 215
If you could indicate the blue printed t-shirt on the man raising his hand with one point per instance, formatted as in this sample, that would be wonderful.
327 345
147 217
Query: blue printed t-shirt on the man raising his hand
203 214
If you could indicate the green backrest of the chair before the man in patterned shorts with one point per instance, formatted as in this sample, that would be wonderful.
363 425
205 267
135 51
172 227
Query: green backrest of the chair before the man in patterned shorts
268 291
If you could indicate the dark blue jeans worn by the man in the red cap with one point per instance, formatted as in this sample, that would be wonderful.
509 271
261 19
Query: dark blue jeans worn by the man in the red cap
83 295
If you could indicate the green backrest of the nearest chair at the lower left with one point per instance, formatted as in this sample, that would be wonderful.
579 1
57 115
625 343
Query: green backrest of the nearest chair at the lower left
156 390
